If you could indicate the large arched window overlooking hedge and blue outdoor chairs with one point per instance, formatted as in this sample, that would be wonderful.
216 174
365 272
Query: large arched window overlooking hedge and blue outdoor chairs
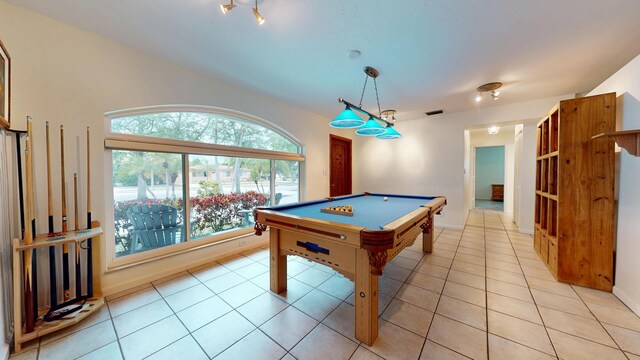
225 163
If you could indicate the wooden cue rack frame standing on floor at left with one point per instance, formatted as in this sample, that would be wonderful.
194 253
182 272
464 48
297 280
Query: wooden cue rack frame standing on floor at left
92 304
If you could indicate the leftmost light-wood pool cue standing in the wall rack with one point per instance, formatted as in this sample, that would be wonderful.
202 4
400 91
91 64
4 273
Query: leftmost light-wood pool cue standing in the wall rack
30 315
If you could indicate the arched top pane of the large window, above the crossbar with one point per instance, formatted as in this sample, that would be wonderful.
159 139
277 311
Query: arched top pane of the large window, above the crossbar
203 124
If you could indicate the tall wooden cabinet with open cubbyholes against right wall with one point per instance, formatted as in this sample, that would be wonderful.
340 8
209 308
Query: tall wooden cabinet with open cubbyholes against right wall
574 200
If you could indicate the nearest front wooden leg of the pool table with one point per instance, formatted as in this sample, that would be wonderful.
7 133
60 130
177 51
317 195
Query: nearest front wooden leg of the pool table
366 298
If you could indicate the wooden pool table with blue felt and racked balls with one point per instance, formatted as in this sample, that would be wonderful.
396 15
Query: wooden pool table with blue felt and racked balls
356 246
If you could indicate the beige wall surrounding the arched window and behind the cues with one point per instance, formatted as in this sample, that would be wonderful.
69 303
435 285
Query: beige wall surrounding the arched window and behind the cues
72 77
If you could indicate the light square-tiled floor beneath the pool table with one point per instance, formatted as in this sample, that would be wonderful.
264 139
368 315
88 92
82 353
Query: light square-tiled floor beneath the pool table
483 293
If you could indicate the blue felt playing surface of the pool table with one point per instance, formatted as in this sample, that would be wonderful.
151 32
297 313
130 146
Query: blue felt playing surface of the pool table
370 211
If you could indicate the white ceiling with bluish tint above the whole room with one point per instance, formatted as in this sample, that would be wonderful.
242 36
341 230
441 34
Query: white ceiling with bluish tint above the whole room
431 54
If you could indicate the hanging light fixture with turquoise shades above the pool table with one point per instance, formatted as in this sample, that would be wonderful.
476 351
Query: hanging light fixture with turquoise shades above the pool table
349 119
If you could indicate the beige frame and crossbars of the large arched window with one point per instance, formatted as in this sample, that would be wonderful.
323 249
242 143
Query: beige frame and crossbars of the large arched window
128 142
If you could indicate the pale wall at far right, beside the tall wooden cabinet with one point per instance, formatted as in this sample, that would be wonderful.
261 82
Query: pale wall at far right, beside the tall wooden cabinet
626 84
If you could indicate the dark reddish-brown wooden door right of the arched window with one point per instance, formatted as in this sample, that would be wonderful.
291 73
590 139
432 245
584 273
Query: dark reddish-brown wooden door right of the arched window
340 168
